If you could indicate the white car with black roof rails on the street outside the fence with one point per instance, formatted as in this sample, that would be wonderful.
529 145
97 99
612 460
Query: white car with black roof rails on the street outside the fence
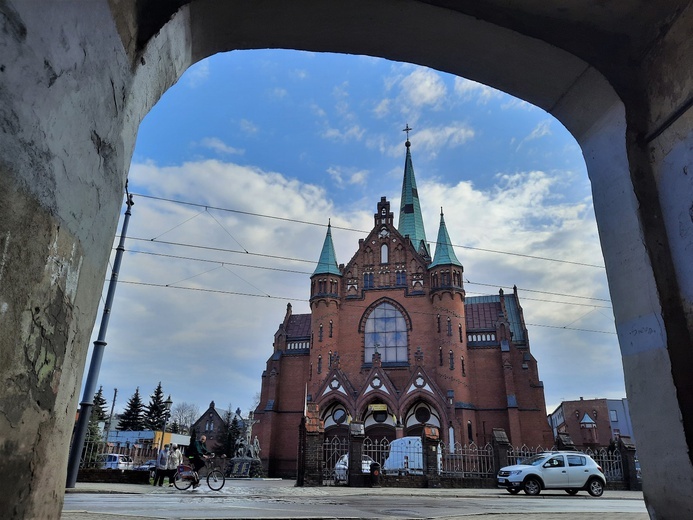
571 471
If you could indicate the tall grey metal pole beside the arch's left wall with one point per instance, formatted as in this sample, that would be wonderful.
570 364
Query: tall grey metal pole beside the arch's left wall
97 355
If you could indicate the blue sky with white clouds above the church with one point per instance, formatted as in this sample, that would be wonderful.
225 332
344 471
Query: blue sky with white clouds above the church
241 165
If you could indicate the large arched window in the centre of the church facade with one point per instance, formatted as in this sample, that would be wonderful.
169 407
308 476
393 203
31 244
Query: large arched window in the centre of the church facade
386 331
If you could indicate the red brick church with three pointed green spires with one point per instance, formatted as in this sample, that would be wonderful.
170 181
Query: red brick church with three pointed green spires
393 341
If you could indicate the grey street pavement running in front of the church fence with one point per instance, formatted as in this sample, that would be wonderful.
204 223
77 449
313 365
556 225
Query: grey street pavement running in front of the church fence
264 499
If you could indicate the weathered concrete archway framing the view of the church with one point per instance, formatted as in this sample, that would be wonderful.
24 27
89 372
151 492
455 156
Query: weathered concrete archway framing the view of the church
77 79
